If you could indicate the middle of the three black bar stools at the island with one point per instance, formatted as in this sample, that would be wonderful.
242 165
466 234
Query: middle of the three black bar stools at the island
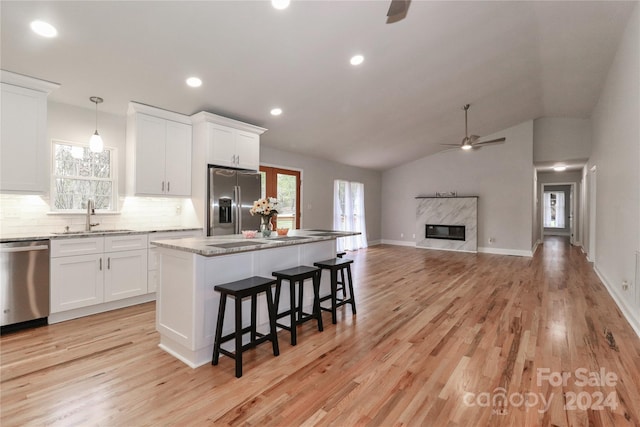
296 315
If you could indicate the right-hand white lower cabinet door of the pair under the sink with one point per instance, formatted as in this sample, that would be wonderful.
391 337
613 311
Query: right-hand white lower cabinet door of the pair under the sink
125 274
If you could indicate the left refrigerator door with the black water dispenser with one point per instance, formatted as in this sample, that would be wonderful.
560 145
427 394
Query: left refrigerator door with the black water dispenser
221 217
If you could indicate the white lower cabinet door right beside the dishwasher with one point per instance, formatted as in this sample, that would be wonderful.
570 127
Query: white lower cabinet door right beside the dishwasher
76 281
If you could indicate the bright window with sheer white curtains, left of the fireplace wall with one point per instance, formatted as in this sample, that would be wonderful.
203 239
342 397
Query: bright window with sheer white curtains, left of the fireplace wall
348 214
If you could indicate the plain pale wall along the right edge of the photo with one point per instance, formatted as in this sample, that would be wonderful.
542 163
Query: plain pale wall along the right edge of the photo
616 155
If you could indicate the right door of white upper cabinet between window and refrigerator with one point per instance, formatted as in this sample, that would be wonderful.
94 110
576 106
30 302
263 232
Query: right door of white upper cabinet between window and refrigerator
178 159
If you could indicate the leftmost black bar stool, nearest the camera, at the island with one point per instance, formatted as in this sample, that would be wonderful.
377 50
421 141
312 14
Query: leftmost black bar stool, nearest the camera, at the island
240 289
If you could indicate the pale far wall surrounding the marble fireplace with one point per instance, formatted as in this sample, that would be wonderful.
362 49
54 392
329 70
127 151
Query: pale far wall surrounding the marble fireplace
502 176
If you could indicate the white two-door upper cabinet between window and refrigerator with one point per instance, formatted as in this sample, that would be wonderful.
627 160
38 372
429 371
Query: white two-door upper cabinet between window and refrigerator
158 152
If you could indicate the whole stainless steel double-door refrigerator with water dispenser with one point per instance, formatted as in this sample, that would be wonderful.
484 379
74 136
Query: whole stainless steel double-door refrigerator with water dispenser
231 195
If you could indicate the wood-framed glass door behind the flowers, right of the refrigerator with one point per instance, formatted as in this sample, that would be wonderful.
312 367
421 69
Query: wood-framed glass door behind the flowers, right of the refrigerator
285 185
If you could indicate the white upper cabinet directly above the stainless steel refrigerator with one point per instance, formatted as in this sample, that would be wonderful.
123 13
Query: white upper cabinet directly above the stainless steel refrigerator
227 142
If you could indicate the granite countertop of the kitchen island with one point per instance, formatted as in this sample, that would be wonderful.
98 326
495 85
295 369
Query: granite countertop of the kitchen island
230 244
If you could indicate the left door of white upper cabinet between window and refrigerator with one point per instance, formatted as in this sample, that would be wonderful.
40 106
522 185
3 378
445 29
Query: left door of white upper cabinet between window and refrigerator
150 155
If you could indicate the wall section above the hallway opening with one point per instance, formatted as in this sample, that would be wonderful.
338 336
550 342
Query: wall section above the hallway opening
557 139
